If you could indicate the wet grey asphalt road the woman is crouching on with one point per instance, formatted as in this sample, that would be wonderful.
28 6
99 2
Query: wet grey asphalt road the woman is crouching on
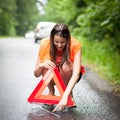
93 96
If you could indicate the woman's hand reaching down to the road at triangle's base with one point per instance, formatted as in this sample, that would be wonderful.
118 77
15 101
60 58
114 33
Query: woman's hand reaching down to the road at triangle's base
62 104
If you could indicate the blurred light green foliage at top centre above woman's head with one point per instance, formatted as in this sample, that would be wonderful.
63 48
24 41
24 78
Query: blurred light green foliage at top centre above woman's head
64 11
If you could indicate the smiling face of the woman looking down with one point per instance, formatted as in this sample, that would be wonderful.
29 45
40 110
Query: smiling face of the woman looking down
59 42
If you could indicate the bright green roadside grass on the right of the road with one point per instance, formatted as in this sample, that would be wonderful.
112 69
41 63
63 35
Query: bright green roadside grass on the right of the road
103 59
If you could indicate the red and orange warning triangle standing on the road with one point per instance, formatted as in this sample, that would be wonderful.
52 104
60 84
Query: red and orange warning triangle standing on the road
38 97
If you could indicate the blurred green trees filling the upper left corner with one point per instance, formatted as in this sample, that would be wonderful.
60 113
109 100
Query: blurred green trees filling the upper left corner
17 16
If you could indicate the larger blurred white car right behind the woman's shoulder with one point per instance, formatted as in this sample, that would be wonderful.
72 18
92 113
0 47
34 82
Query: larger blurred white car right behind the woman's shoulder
43 30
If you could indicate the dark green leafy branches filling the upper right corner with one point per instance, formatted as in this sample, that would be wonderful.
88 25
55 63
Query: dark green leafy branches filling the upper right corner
100 20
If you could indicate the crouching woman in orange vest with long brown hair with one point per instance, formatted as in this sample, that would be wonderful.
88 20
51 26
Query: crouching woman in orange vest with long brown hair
64 52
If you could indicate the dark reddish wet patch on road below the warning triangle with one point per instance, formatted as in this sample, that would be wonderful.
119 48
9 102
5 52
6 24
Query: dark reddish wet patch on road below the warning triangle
44 113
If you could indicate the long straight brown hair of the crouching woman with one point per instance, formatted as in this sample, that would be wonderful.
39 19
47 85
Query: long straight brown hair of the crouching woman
63 31
